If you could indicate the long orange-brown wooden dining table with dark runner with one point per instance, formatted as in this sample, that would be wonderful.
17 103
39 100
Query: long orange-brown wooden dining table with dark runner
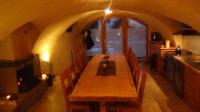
92 87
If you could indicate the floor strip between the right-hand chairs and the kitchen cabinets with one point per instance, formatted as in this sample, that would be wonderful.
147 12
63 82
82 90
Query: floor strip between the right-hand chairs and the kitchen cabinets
160 97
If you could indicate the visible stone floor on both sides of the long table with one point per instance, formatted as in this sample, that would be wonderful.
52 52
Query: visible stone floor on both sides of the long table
158 97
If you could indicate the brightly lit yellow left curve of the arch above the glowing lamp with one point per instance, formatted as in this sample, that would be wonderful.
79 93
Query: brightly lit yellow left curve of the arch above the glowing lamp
52 32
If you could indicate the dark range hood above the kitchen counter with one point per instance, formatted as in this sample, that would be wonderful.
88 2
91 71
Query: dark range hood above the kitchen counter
186 30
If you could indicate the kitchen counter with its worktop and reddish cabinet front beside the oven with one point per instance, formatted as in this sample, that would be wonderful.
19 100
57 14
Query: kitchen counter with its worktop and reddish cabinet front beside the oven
188 77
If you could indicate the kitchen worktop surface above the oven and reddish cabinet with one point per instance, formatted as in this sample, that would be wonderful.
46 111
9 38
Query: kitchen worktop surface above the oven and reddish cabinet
188 61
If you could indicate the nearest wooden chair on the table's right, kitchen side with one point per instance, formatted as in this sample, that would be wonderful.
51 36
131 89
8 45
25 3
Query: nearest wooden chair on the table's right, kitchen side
133 106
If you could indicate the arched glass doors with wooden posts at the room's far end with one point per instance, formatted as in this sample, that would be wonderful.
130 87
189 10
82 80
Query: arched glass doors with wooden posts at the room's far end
116 34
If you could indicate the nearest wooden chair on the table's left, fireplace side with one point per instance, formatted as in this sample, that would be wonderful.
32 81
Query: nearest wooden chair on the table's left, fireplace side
67 89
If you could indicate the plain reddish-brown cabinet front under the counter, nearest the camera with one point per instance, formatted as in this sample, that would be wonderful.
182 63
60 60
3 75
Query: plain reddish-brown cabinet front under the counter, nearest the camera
192 87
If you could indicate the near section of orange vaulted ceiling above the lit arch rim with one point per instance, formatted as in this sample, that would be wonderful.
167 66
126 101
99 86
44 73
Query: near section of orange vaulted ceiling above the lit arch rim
15 13
